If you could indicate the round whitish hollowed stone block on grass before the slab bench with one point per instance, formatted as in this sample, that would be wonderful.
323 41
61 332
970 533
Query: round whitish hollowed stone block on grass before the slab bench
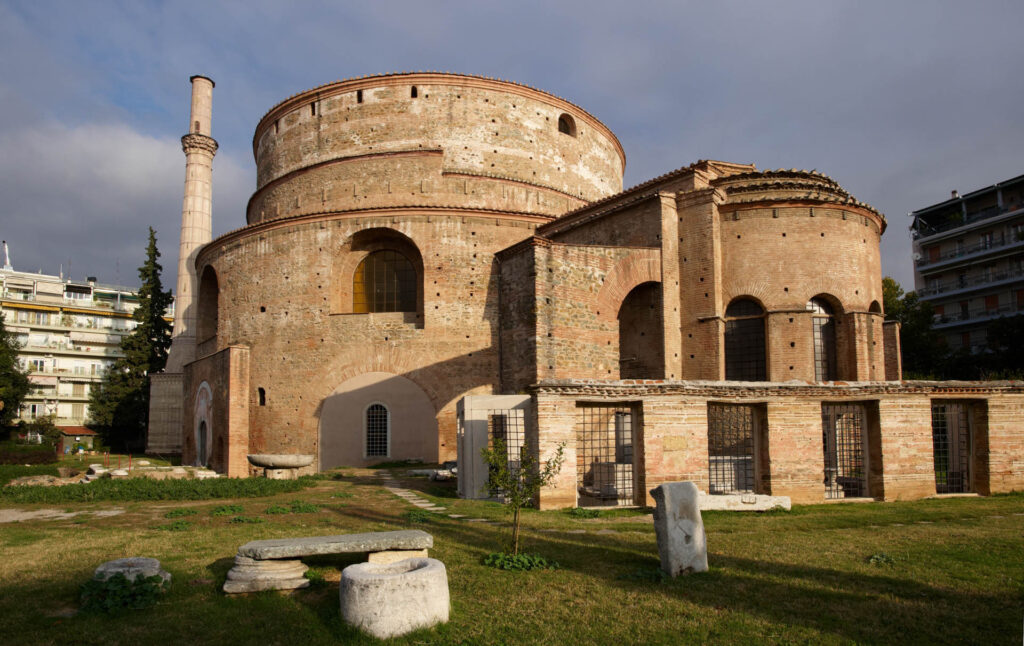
394 599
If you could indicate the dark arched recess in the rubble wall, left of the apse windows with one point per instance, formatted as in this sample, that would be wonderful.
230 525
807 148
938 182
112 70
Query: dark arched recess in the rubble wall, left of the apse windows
642 334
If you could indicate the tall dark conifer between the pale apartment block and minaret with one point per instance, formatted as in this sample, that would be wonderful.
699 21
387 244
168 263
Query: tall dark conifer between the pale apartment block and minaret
120 407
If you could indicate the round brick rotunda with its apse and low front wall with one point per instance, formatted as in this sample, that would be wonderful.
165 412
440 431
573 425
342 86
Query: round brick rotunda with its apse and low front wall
433 261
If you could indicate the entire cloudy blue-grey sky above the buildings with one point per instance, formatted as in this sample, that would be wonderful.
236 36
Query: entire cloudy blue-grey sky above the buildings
900 102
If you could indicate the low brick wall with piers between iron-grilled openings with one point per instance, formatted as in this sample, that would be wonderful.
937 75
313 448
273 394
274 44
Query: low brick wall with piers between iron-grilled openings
899 429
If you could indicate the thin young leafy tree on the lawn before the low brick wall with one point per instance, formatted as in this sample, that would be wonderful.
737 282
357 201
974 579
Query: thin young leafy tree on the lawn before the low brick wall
520 483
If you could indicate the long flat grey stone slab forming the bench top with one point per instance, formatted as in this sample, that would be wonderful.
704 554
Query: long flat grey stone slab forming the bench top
342 544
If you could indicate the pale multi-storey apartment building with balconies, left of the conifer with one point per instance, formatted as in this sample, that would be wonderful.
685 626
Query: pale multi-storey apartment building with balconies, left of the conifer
71 332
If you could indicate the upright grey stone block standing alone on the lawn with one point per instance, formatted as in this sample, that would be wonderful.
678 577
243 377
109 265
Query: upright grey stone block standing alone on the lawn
682 545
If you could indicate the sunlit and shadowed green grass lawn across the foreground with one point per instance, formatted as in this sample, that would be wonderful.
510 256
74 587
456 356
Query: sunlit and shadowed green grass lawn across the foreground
944 572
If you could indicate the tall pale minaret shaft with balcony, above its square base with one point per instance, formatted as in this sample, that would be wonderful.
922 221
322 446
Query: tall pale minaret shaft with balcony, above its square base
197 221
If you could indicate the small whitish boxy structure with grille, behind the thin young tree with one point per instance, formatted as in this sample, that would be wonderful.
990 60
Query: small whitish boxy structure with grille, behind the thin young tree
481 418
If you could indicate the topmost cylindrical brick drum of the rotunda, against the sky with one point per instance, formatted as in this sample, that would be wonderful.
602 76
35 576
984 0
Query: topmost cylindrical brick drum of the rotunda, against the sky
483 127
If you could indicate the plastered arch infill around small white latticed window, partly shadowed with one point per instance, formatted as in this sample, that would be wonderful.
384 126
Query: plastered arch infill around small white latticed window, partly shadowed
412 421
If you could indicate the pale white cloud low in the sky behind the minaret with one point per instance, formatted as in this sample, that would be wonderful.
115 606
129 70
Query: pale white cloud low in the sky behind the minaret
87 195
